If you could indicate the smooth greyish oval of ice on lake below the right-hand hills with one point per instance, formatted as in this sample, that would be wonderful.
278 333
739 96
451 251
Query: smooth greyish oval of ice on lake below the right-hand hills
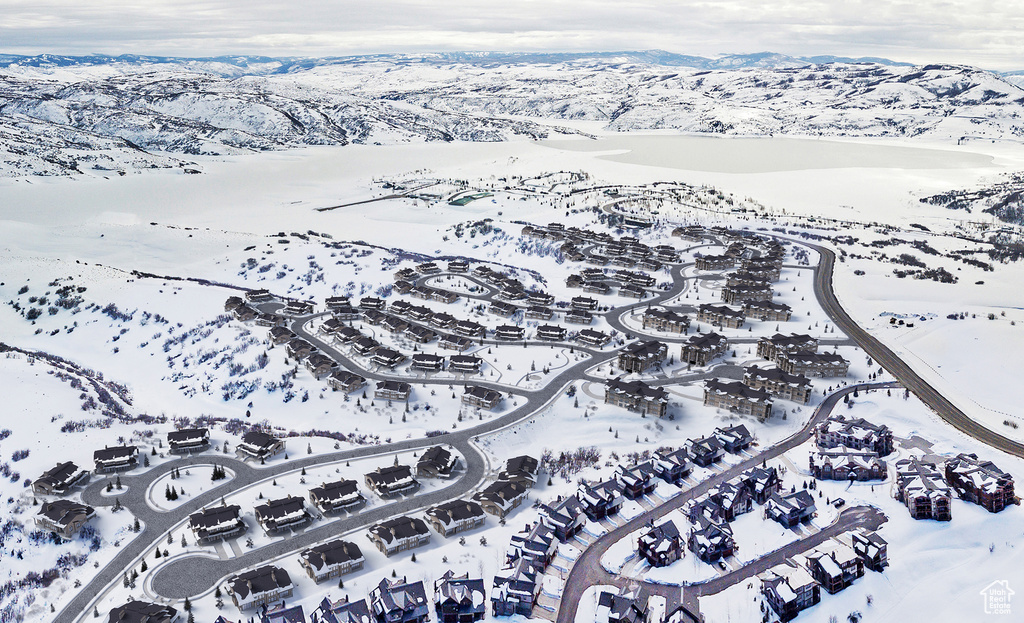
730 155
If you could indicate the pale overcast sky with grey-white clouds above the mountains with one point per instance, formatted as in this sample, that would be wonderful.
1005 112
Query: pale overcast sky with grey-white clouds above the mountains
985 33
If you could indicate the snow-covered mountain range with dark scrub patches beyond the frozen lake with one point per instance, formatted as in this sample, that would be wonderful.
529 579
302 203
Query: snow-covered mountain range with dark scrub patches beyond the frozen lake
61 115
